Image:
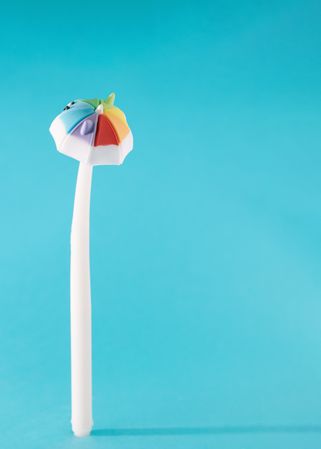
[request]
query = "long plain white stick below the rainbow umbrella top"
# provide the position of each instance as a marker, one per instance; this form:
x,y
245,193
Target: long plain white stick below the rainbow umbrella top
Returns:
x,y
80,307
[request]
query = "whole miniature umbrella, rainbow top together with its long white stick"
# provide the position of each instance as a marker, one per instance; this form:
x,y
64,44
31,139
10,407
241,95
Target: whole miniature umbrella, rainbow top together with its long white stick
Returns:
x,y
94,132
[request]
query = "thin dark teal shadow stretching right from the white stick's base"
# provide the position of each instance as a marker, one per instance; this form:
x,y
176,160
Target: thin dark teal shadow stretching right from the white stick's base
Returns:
x,y
212,430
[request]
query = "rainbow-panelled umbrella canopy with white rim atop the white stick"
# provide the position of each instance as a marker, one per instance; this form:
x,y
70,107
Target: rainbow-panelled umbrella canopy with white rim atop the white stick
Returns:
x,y
93,131
